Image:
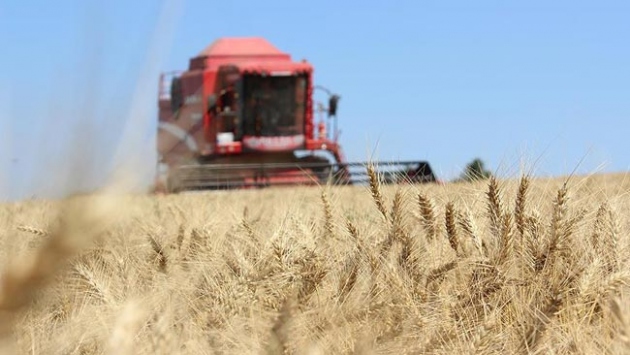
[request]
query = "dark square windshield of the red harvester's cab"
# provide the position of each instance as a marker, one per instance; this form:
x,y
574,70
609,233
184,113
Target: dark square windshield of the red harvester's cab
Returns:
x,y
274,105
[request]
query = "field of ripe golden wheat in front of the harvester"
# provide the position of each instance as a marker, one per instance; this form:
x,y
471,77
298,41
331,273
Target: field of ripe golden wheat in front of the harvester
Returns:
x,y
516,266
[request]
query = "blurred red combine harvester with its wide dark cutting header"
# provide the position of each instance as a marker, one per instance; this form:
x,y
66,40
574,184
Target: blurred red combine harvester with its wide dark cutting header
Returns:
x,y
243,116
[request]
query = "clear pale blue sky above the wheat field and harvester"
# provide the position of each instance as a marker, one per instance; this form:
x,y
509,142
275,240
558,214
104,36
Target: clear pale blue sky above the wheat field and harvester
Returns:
x,y
445,81
